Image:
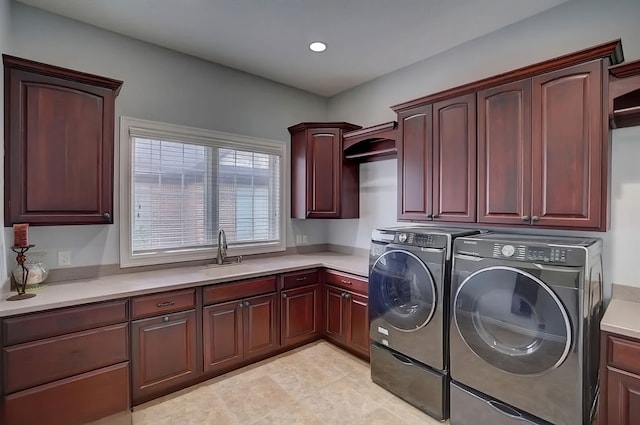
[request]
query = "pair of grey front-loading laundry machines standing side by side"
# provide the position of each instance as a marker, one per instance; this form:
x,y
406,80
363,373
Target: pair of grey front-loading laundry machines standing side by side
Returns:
x,y
500,328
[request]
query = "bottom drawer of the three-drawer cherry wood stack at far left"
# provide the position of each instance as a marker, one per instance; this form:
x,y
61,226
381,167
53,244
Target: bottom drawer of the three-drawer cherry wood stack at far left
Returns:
x,y
72,401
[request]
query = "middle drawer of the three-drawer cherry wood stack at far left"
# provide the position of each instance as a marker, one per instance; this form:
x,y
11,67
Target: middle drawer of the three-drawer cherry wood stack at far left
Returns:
x,y
35,363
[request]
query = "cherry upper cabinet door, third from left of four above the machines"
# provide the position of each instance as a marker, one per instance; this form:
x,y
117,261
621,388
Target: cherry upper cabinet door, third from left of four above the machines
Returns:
x,y
504,154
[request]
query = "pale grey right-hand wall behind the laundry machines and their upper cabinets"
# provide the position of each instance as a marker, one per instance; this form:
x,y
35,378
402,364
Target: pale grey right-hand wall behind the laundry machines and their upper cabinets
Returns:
x,y
572,26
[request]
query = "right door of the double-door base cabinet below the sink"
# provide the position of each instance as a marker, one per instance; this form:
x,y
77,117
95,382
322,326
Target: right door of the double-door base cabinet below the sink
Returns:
x,y
260,325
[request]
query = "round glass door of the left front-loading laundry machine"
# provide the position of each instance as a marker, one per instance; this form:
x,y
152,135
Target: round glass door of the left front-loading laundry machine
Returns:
x,y
403,290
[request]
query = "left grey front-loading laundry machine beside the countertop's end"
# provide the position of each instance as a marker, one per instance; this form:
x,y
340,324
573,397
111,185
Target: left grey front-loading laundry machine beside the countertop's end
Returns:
x,y
409,277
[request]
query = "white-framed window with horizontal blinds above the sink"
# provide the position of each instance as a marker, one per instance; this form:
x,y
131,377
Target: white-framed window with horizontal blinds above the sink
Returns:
x,y
179,185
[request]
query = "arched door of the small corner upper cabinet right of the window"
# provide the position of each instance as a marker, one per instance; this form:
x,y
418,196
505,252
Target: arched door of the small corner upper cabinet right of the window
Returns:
x,y
323,173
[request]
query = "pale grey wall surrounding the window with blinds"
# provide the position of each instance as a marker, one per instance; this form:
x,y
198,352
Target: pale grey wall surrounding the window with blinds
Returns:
x,y
159,85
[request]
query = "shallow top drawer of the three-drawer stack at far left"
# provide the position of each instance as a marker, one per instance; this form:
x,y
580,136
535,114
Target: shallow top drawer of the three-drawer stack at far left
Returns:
x,y
58,322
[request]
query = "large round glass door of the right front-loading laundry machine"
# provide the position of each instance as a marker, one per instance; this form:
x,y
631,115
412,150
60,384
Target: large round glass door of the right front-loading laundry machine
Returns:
x,y
512,320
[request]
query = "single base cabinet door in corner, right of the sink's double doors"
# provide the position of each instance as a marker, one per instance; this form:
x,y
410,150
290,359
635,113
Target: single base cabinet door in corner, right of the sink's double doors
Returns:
x,y
300,314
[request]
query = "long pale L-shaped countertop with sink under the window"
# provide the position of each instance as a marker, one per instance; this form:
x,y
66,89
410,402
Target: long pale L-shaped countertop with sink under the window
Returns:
x,y
63,294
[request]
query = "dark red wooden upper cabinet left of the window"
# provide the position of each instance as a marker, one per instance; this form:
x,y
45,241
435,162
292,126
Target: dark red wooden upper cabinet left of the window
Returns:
x,y
58,145
